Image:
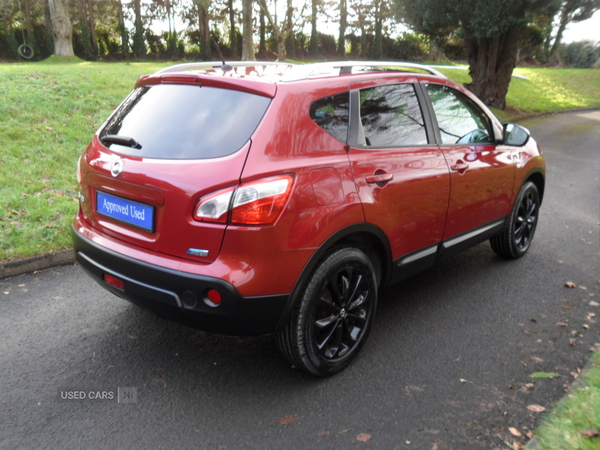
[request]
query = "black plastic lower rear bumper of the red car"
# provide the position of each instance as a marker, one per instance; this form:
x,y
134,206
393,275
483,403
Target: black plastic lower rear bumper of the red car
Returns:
x,y
180,296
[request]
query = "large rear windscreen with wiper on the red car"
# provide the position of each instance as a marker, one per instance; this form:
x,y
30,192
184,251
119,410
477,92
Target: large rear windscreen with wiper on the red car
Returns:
x,y
183,122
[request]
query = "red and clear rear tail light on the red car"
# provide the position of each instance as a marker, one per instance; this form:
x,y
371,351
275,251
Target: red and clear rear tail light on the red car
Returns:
x,y
255,203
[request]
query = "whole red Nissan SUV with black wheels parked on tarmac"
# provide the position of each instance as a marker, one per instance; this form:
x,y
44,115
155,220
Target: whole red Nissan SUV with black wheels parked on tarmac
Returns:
x,y
256,198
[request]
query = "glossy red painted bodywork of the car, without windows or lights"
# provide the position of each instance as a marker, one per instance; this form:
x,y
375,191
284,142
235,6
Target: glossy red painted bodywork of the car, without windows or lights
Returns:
x,y
422,204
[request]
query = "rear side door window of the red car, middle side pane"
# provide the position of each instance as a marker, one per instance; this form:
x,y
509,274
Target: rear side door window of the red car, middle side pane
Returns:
x,y
391,116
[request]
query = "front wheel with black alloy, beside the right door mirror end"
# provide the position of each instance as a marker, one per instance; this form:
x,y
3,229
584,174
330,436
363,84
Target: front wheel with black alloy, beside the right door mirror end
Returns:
x,y
516,239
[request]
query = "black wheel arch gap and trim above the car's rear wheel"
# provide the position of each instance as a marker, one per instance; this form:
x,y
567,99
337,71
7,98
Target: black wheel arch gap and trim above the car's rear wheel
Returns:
x,y
366,237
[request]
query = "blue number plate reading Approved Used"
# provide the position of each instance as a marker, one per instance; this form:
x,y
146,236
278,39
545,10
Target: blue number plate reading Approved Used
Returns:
x,y
126,211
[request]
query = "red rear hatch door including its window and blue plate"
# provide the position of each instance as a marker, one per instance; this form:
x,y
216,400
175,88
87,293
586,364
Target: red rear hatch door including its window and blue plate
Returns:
x,y
166,147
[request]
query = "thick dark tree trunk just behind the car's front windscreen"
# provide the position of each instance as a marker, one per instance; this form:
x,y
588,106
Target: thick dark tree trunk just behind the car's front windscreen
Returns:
x,y
491,63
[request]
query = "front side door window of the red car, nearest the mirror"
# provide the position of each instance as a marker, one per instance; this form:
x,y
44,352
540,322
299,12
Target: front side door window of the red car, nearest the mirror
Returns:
x,y
460,121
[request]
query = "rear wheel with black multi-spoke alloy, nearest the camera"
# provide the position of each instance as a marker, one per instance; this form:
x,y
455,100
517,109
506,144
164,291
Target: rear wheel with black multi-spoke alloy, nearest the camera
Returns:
x,y
334,314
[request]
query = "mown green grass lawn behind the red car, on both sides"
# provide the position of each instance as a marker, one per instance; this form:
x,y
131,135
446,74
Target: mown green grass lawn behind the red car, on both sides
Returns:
x,y
51,109
